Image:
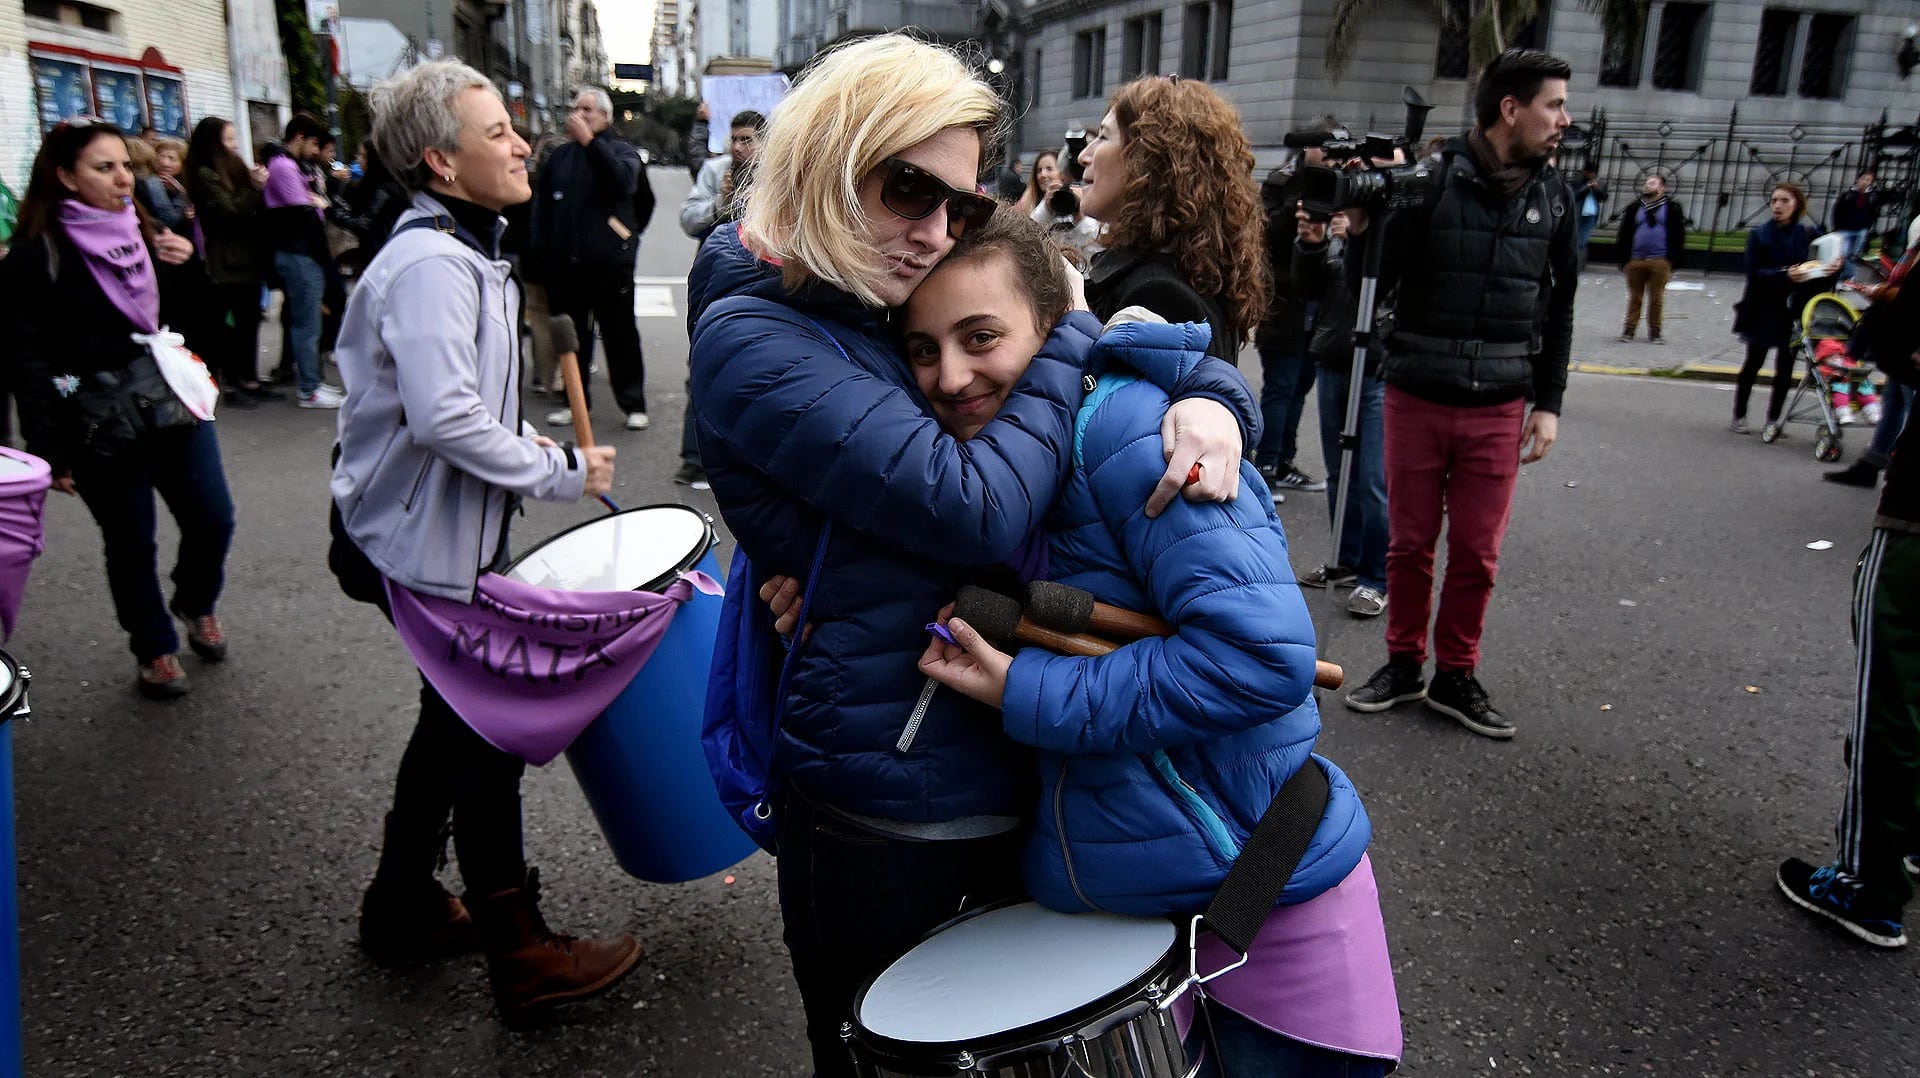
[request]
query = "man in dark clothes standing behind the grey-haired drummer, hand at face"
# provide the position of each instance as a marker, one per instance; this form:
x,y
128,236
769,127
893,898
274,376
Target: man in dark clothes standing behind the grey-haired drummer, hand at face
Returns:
x,y
585,243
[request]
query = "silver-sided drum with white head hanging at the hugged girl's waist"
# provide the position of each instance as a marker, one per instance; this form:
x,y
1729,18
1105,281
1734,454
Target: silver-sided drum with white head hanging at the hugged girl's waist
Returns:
x,y
1026,992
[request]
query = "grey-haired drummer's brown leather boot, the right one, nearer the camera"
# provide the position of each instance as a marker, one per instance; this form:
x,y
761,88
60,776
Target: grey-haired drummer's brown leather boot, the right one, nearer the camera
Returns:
x,y
531,968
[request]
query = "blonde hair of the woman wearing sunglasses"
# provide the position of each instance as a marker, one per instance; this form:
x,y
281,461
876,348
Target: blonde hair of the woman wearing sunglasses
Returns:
x,y
852,110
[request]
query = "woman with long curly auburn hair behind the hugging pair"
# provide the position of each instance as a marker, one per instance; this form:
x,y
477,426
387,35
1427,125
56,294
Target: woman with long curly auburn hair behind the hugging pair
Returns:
x,y
1172,176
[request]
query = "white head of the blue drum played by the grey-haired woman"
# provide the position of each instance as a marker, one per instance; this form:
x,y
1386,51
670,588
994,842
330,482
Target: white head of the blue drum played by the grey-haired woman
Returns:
x,y
617,554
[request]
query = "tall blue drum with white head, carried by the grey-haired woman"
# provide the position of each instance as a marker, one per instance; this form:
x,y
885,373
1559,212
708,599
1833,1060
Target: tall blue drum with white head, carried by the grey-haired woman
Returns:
x,y
640,764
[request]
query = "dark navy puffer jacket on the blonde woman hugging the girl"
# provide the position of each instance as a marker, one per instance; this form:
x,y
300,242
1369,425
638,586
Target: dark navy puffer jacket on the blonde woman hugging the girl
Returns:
x,y
794,435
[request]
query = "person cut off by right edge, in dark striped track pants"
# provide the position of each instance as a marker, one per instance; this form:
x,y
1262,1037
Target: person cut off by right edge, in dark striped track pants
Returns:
x,y
1869,883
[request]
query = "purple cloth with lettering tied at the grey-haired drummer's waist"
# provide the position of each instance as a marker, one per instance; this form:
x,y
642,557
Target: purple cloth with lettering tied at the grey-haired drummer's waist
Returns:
x,y
533,668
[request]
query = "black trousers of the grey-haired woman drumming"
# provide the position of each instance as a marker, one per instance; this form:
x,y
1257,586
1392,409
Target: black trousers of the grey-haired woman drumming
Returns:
x,y
448,770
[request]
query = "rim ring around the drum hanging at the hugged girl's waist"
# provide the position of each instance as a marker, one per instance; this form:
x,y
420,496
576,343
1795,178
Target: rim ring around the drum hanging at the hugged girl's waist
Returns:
x,y
915,1058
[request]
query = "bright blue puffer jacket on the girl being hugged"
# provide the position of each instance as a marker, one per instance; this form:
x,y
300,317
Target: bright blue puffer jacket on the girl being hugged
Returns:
x,y
1159,760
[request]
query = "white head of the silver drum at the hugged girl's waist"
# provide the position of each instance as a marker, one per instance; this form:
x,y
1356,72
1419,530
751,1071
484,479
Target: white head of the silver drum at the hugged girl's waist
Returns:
x,y
1009,969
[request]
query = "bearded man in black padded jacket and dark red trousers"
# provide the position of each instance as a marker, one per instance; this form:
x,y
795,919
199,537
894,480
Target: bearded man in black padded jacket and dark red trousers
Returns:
x,y
1499,226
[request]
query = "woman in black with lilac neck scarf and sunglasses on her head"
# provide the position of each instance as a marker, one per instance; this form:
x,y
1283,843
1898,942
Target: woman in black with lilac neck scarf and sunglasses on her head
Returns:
x,y
85,291
